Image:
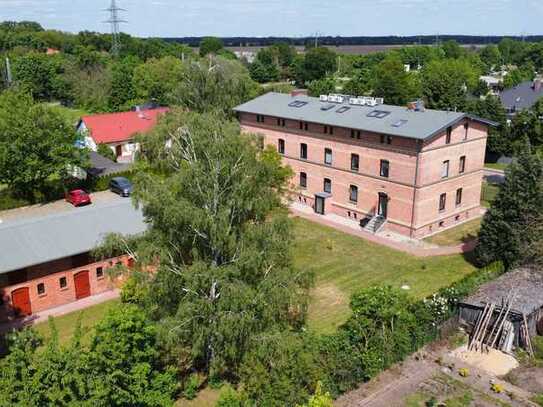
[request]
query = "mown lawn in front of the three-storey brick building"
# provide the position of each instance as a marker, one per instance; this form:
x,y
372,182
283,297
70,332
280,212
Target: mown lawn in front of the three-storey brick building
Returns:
x,y
344,264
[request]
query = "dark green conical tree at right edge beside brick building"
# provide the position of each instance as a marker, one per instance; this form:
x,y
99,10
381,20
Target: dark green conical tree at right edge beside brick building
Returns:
x,y
504,231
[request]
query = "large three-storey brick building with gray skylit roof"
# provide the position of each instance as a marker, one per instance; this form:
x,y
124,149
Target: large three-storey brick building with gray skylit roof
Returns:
x,y
406,169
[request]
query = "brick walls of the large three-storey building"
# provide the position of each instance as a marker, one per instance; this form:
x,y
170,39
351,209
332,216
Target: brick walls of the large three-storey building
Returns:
x,y
415,181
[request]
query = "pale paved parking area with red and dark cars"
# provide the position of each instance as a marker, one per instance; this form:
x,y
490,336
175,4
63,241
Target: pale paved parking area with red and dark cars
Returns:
x,y
37,210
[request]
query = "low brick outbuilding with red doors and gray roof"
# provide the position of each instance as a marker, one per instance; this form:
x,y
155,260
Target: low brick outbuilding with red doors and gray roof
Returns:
x,y
45,261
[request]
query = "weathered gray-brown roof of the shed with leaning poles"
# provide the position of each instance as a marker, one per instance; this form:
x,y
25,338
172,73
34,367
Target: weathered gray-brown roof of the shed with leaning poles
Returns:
x,y
525,283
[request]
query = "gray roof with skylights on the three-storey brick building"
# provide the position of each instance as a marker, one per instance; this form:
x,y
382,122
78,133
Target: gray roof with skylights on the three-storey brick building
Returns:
x,y
419,124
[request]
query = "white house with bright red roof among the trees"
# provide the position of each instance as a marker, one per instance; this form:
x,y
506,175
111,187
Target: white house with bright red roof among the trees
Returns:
x,y
117,130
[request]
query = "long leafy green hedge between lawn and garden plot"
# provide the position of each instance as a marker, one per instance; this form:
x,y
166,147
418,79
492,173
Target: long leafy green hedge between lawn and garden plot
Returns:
x,y
386,327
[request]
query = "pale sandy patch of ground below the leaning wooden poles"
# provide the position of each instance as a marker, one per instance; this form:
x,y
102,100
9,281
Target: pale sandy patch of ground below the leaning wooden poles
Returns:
x,y
493,361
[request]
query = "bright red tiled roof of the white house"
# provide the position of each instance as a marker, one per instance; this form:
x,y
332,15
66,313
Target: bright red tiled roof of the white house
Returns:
x,y
114,127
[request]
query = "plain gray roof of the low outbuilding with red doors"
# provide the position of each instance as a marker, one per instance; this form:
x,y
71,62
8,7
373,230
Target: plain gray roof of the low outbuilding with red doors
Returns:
x,y
34,241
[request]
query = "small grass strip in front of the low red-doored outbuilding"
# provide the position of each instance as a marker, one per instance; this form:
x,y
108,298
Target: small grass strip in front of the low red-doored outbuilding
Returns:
x,y
66,324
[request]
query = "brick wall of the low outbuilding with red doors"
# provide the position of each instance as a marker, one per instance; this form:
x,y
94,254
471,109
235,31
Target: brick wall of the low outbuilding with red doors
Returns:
x,y
50,275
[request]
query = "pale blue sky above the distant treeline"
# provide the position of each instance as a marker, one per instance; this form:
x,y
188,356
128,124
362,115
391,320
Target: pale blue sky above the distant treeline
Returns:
x,y
288,17
